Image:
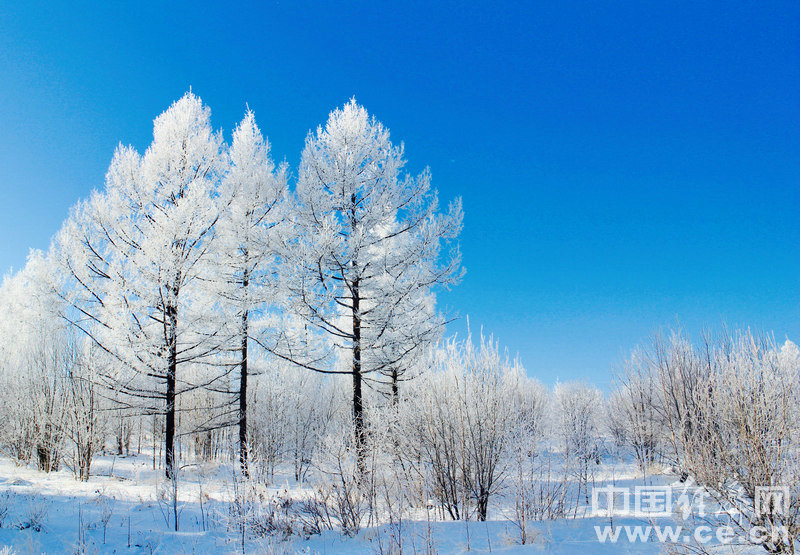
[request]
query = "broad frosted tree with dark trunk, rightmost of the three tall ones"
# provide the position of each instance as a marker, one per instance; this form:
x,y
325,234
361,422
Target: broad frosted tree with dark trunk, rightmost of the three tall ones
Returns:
x,y
368,253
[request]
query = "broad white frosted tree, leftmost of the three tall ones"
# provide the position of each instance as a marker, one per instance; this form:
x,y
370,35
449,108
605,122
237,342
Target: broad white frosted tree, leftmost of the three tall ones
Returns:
x,y
135,255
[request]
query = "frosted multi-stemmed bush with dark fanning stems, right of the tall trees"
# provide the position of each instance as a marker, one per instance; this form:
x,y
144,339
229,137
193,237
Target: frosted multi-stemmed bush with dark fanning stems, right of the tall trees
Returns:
x,y
460,420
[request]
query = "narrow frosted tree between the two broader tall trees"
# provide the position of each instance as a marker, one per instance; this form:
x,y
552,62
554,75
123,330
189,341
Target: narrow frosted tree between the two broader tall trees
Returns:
x,y
251,196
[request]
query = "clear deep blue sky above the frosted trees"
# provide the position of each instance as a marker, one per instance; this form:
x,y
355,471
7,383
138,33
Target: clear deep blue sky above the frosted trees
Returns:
x,y
623,166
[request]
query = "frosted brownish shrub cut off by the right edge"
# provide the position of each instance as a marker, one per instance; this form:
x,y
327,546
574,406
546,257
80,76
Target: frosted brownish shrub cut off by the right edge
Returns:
x,y
747,438
